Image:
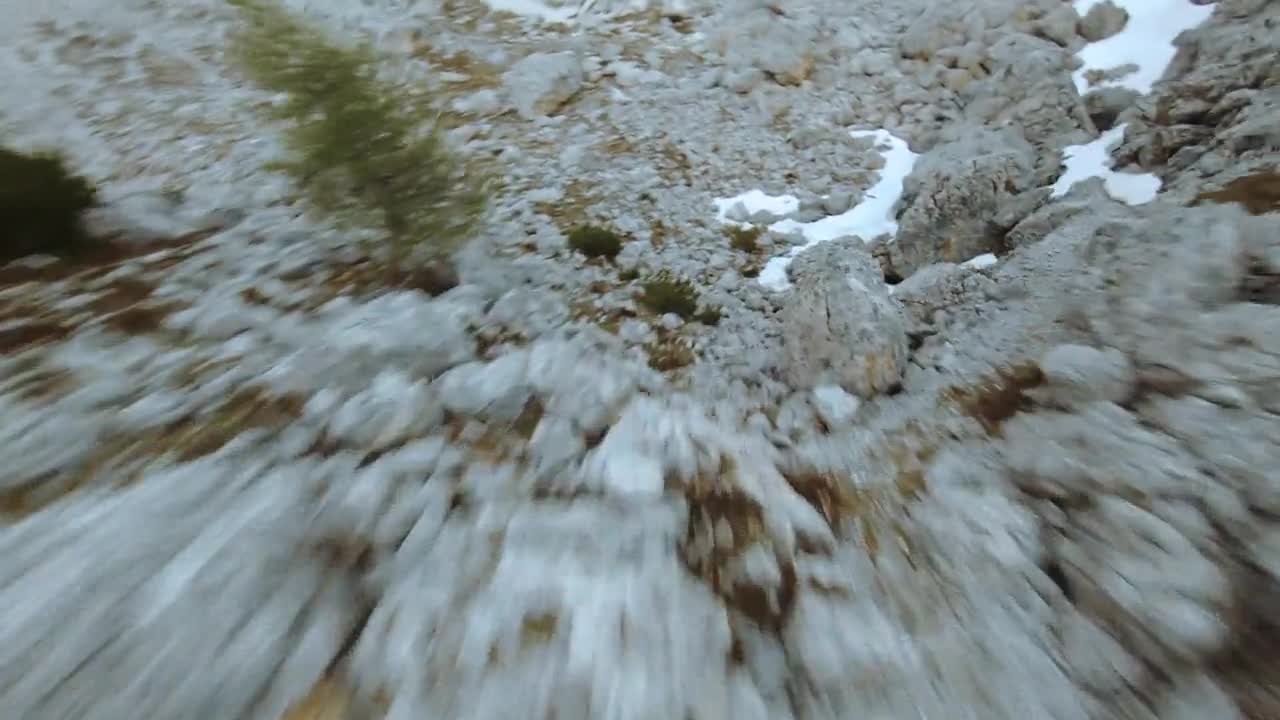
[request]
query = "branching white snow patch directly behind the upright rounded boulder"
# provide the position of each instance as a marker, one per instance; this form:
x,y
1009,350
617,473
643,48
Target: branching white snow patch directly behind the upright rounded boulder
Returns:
x,y
870,220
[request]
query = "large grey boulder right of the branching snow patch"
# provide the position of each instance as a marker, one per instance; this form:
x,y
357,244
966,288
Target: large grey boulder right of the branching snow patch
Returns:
x,y
956,195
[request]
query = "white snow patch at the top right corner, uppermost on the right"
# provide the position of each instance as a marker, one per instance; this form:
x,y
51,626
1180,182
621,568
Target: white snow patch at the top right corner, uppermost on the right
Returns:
x,y
1146,42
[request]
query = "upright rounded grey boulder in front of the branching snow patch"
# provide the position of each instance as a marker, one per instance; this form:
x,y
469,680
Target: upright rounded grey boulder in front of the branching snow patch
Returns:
x,y
840,325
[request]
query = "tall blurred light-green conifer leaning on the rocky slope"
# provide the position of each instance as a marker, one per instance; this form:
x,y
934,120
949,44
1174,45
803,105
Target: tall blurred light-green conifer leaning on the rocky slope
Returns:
x,y
359,151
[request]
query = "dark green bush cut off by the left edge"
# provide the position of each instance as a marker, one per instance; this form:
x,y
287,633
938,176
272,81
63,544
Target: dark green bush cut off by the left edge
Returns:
x,y
42,204
